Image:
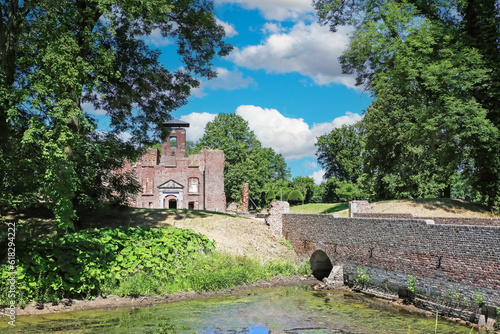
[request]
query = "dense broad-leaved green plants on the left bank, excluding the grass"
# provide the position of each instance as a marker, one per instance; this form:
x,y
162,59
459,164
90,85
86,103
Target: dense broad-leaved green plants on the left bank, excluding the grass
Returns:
x,y
82,264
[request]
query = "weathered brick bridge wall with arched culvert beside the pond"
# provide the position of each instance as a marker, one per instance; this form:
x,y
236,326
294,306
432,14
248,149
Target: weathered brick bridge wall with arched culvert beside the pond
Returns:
x,y
443,258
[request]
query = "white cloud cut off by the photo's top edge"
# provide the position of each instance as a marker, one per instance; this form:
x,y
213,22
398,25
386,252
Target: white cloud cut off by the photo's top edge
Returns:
x,y
276,9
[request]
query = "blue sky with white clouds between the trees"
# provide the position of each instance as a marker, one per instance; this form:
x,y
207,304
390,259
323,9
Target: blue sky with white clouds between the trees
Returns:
x,y
283,77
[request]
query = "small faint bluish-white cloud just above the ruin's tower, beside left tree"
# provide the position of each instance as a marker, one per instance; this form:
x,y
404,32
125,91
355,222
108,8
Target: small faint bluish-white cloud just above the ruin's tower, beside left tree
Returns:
x,y
226,79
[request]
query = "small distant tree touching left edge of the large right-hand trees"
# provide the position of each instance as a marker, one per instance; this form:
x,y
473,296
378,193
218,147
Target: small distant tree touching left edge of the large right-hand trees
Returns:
x,y
340,153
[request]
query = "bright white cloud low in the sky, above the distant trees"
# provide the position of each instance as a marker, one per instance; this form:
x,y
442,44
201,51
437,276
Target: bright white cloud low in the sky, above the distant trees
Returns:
x,y
292,137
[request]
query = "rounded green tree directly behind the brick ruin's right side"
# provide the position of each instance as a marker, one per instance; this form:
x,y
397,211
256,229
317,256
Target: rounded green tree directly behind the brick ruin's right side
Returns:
x,y
246,159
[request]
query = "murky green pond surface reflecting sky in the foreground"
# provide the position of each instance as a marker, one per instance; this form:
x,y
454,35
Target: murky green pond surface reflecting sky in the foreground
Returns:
x,y
266,310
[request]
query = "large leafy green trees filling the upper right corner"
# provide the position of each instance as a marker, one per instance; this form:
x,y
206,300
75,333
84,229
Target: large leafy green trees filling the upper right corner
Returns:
x,y
433,69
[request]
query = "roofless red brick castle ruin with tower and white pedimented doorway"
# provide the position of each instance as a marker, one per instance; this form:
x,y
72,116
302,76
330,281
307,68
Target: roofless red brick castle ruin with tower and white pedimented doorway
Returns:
x,y
170,180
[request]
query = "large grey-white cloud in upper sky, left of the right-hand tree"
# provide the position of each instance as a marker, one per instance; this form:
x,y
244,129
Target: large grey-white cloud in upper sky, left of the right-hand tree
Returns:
x,y
309,49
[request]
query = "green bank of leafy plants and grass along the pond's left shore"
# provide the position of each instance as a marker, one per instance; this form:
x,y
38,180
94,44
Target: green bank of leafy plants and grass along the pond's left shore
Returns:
x,y
129,261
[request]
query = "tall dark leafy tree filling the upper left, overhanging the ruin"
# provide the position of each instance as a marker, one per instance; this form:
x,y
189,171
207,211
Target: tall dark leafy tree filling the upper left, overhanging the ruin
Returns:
x,y
56,55
